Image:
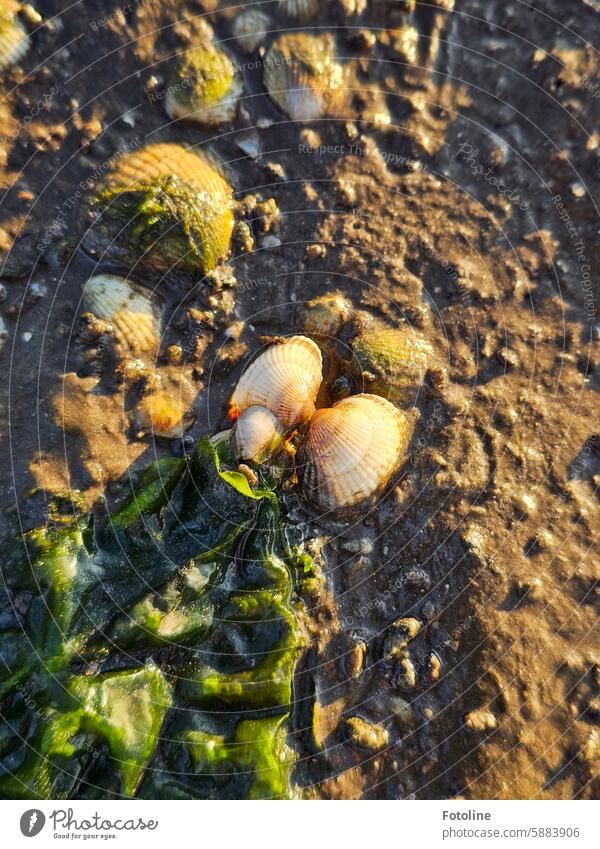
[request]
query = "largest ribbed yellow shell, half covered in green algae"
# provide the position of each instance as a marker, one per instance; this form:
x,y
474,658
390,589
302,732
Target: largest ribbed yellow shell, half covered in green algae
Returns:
x,y
161,208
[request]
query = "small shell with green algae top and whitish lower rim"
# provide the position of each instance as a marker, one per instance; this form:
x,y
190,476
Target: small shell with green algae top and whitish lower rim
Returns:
x,y
204,87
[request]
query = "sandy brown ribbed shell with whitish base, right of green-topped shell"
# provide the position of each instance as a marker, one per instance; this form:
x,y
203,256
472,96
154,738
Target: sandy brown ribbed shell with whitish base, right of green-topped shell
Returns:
x,y
303,76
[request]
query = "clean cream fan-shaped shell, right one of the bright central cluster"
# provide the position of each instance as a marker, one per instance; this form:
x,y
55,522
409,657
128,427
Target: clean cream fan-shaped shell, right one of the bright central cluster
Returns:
x,y
351,450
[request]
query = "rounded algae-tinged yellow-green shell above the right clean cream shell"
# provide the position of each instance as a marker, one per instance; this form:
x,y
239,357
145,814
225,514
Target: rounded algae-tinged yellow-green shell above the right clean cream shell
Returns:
x,y
392,361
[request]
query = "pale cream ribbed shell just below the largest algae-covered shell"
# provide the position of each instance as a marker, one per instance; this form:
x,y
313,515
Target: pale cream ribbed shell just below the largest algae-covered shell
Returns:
x,y
129,309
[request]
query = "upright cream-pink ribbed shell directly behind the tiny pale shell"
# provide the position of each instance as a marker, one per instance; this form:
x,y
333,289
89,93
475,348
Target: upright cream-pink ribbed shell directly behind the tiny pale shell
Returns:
x,y
285,378
